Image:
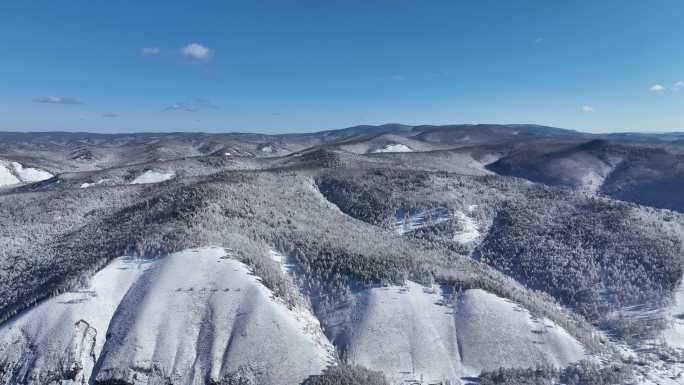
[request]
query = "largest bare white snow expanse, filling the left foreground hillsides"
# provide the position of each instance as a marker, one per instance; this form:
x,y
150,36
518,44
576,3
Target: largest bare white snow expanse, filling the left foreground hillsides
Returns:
x,y
189,317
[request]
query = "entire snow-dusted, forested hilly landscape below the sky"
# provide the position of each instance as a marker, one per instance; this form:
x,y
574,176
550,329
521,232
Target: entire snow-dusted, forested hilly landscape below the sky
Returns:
x,y
395,254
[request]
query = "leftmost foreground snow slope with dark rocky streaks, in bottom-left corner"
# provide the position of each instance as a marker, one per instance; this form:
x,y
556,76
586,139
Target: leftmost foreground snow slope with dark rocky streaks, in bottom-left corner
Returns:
x,y
66,332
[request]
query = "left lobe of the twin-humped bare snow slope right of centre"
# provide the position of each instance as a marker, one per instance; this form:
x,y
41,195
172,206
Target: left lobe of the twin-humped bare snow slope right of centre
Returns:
x,y
404,332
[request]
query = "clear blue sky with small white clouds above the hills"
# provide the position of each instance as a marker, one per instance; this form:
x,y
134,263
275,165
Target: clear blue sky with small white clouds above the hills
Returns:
x,y
294,66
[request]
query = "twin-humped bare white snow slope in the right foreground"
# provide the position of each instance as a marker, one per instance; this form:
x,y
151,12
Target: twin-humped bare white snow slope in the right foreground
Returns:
x,y
412,333
